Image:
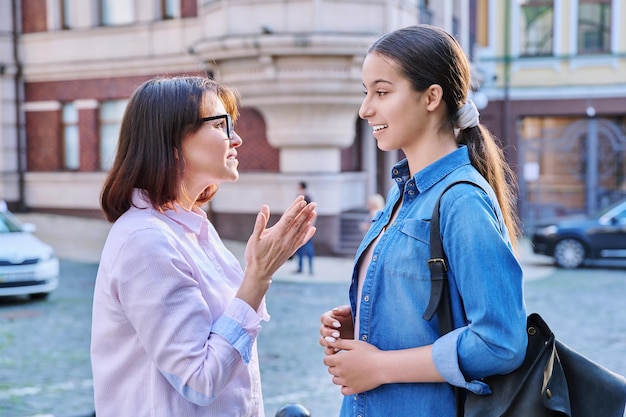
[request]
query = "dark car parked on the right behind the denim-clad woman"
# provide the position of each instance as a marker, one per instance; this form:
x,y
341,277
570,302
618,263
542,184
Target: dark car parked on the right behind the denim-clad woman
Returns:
x,y
572,240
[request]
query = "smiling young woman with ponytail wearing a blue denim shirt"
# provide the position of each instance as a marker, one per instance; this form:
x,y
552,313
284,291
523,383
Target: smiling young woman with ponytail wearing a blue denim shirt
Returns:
x,y
386,358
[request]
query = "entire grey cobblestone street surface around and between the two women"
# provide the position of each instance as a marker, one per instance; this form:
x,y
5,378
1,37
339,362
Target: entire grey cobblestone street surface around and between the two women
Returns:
x,y
44,346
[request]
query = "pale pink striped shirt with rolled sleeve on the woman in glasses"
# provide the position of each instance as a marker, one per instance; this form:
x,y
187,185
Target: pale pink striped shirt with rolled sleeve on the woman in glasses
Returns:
x,y
169,338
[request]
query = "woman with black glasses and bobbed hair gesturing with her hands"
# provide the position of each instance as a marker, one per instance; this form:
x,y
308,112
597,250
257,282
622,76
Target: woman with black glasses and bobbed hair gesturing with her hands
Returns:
x,y
175,317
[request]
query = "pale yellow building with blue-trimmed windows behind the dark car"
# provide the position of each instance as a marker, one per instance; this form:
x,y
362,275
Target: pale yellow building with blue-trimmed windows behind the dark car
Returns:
x,y
554,73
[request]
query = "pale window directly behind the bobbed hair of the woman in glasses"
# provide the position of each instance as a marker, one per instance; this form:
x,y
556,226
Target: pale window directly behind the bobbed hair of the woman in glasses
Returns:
x,y
111,113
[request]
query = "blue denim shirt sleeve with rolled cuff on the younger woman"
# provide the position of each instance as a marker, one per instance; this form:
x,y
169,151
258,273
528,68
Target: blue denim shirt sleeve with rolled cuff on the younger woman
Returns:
x,y
487,294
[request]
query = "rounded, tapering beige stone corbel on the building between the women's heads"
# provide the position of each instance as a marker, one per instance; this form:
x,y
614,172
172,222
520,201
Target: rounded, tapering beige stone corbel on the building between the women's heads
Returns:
x,y
299,64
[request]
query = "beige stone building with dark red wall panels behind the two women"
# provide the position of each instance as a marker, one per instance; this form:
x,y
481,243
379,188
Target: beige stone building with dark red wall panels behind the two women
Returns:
x,y
68,67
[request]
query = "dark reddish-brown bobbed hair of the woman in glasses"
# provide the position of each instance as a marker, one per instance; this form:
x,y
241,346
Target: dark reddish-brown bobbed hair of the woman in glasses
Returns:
x,y
160,113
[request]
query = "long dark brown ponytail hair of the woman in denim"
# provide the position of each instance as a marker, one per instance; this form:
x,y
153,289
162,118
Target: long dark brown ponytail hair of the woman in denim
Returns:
x,y
429,55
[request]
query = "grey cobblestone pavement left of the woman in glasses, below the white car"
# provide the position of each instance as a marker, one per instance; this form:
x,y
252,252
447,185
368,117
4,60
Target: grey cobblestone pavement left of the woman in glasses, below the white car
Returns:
x,y
44,349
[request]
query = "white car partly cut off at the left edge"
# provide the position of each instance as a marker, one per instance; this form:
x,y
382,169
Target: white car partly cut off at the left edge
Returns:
x,y
27,265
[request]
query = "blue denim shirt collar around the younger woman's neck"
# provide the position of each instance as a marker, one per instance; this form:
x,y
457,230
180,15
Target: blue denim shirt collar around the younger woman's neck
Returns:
x,y
430,175
